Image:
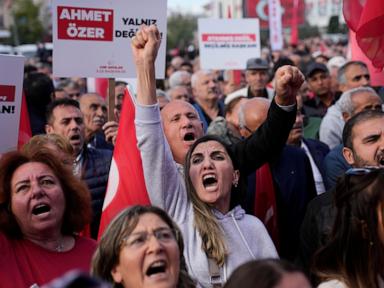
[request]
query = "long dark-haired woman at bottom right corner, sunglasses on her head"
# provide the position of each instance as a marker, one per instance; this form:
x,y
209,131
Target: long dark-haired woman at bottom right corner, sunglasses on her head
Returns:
x,y
354,255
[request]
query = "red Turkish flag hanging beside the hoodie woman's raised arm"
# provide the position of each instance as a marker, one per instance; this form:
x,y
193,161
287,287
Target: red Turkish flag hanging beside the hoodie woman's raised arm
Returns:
x,y
126,186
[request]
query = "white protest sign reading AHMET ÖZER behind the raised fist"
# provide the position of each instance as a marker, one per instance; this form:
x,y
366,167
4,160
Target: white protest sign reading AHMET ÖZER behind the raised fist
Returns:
x,y
93,38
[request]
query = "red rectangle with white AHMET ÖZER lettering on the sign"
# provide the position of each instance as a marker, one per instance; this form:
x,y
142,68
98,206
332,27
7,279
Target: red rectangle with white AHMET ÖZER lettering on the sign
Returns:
x,y
76,23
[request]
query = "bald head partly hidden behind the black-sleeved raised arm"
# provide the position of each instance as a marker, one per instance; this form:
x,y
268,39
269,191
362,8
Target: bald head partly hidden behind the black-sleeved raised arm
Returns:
x,y
252,114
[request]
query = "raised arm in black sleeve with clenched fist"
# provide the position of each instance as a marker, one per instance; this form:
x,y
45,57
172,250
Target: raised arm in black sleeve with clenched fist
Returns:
x,y
268,140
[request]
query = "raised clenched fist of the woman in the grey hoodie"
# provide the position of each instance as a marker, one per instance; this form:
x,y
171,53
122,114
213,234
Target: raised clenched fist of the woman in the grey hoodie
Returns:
x,y
145,45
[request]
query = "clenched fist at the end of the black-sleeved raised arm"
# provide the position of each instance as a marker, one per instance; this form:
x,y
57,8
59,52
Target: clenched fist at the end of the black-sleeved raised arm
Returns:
x,y
288,80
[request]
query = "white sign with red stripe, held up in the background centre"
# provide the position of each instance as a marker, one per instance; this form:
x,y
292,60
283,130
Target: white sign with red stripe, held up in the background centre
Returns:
x,y
227,44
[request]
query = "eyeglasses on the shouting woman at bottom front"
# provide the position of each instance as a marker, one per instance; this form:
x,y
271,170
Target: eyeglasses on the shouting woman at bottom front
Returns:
x,y
137,240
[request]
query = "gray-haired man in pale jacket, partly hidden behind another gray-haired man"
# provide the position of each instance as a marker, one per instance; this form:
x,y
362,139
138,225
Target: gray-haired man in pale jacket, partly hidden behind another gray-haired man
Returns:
x,y
351,75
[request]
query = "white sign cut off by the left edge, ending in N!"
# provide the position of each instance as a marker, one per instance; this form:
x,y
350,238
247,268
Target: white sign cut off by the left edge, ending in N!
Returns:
x,y
11,89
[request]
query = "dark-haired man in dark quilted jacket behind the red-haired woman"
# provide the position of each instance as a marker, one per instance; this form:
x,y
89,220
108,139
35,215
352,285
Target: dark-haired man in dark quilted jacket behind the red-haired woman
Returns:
x,y
92,165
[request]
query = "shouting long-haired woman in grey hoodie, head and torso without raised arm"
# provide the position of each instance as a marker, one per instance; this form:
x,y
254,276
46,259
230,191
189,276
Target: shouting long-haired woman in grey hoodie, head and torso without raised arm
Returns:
x,y
219,236
